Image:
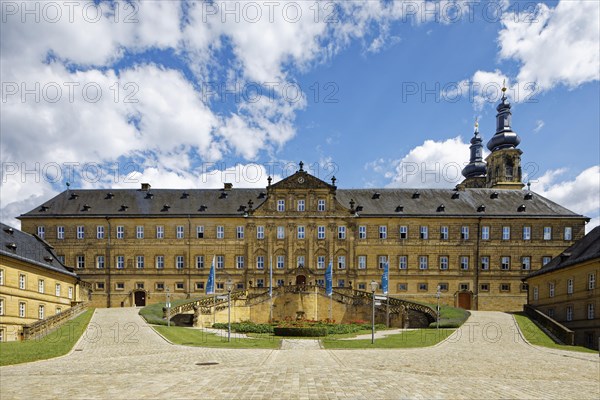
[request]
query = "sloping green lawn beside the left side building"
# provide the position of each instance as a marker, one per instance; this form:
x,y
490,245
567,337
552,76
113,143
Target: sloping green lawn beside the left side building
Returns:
x,y
55,344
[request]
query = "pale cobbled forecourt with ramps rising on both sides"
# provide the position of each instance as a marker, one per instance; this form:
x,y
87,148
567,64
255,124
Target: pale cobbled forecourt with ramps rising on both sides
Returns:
x,y
121,357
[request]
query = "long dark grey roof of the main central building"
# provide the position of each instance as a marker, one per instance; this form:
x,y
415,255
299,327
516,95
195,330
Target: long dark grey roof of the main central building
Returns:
x,y
235,202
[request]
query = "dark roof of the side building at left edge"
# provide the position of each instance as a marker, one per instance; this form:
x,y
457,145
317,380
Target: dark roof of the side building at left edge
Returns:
x,y
22,246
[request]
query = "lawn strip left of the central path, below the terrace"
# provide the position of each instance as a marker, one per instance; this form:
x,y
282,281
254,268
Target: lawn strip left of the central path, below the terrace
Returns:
x,y
197,337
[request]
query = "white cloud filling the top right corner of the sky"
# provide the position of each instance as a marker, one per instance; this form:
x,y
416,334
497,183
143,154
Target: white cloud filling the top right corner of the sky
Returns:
x,y
555,45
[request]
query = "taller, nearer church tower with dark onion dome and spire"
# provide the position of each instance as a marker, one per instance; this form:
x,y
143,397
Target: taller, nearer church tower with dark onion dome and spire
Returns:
x,y
504,163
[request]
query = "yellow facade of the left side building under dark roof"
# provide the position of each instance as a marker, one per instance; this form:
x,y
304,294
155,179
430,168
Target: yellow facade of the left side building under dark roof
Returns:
x,y
29,293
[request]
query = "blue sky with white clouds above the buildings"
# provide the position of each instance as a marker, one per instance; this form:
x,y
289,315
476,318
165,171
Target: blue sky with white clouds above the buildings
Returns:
x,y
379,93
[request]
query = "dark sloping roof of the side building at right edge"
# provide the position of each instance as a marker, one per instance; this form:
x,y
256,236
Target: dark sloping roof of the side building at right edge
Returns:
x,y
585,249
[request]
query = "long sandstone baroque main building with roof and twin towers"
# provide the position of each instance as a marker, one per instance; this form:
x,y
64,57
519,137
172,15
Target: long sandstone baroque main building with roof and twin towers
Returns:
x,y
474,242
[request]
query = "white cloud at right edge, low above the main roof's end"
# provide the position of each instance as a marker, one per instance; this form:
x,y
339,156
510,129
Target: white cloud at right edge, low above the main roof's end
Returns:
x,y
581,194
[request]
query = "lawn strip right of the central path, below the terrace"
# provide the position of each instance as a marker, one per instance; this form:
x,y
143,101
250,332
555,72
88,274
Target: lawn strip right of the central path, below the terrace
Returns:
x,y
405,340
